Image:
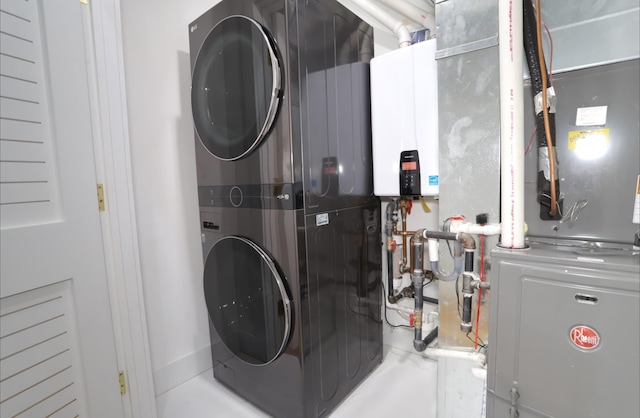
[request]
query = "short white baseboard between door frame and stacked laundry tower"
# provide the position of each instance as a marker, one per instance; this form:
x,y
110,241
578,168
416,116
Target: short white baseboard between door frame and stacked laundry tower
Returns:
x,y
181,370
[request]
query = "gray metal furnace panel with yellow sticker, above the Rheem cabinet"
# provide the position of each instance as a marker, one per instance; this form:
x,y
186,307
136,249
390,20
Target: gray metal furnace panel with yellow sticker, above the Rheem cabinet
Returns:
x,y
602,177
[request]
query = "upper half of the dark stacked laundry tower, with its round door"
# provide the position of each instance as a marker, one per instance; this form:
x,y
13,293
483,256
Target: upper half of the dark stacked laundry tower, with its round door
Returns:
x,y
280,96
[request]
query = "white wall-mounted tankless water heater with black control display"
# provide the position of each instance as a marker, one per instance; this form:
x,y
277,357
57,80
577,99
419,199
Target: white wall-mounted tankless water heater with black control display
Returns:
x,y
404,113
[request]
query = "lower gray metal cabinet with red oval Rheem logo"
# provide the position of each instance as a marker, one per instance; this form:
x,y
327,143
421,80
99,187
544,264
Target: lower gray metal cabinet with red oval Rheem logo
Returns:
x,y
564,336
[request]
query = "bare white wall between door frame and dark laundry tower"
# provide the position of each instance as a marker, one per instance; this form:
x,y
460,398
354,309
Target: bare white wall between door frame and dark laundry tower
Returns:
x,y
157,71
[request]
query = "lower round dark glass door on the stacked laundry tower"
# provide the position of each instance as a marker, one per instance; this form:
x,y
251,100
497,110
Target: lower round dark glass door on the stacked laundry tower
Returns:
x,y
247,299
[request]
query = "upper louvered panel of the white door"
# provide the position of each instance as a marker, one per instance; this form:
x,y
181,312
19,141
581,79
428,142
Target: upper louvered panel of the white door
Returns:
x,y
28,192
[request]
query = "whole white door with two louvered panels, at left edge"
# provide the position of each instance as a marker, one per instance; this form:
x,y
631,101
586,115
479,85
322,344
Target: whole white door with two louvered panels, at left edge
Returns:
x,y
57,350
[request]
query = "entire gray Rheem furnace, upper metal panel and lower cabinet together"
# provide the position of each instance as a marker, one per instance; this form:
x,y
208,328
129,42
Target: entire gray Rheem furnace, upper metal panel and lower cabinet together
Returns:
x,y
564,337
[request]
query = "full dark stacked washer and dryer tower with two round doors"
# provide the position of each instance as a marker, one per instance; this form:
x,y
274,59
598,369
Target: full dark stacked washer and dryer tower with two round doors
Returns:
x,y
290,226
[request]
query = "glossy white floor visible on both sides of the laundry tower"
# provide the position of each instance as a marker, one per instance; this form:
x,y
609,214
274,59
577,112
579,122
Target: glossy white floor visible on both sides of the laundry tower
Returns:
x,y
389,391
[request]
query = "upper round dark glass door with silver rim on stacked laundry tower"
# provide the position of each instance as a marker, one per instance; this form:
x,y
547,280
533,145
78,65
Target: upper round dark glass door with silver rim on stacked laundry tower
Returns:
x,y
236,87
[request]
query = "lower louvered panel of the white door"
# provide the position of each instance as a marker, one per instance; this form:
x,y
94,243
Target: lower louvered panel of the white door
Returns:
x,y
36,365
